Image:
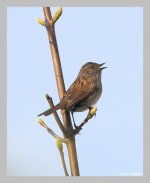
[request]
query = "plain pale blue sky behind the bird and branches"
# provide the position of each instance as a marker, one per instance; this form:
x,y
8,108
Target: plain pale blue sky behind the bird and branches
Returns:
x,y
111,144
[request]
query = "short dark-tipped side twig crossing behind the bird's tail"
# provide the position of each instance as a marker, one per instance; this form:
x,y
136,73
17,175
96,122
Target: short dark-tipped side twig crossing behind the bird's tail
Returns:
x,y
50,101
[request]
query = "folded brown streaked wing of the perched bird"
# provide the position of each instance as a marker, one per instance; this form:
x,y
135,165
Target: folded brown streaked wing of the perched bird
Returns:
x,y
81,89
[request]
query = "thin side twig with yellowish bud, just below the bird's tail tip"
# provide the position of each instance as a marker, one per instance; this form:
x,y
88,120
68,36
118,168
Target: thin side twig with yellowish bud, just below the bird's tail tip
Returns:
x,y
41,122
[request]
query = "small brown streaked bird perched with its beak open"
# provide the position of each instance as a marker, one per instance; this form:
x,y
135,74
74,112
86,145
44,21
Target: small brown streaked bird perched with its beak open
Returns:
x,y
84,92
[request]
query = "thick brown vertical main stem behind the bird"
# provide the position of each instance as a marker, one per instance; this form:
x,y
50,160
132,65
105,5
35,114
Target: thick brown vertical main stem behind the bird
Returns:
x,y
61,89
